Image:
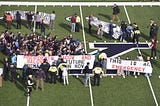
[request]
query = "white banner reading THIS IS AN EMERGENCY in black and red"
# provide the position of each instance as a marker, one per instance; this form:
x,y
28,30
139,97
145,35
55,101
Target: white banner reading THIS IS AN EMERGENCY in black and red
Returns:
x,y
129,65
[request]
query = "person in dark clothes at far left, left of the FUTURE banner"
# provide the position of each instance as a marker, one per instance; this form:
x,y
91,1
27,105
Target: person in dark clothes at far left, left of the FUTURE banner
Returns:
x,y
6,68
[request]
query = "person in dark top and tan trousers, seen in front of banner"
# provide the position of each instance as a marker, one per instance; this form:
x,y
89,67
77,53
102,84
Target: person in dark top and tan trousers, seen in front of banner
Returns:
x,y
40,76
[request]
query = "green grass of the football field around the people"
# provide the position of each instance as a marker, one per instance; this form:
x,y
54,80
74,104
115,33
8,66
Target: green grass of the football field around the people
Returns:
x,y
112,92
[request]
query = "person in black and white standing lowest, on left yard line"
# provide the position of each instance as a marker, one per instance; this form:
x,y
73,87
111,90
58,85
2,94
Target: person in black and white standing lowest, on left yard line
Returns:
x,y
29,85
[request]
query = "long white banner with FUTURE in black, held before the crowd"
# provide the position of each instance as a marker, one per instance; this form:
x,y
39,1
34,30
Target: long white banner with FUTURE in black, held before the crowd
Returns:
x,y
73,61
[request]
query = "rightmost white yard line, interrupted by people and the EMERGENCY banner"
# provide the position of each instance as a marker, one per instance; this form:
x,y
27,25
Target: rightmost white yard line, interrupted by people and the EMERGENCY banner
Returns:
x,y
149,82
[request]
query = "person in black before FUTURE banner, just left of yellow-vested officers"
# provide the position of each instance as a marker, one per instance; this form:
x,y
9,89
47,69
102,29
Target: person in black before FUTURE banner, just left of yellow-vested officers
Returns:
x,y
45,67
